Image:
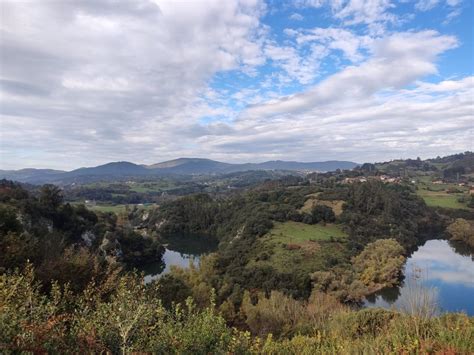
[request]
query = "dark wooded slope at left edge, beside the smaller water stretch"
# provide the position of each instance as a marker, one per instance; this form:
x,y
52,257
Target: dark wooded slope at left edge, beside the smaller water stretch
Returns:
x,y
65,242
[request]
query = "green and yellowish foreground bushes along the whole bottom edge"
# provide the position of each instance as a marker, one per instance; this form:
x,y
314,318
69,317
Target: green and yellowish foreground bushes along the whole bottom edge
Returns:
x,y
126,317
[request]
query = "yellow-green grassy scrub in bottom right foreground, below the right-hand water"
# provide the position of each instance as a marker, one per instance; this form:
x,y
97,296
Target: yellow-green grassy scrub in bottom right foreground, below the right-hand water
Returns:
x,y
382,332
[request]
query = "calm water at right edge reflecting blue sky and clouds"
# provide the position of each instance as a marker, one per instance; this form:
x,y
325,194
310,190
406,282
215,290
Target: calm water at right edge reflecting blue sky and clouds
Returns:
x,y
446,268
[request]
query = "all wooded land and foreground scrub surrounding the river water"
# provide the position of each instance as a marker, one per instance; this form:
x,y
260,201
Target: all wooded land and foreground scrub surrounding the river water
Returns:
x,y
295,260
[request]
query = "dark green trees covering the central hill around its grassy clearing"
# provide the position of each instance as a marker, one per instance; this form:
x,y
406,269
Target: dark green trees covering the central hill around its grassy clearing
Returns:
x,y
372,211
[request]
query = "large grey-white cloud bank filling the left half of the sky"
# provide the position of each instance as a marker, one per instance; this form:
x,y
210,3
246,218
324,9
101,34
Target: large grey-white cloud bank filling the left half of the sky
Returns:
x,y
126,70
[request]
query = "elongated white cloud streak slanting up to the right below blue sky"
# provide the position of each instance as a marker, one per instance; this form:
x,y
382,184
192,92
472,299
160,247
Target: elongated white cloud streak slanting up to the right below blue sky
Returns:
x,y
411,53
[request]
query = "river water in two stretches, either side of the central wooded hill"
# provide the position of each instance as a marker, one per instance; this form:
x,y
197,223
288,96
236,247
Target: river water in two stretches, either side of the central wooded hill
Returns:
x,y
444,268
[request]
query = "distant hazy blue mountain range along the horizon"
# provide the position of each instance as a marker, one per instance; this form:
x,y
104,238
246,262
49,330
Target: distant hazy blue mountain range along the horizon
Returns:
x,y
181,166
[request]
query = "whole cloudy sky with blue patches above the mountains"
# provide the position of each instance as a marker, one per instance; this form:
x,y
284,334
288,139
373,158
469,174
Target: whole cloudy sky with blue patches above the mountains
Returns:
x,y
88,82
